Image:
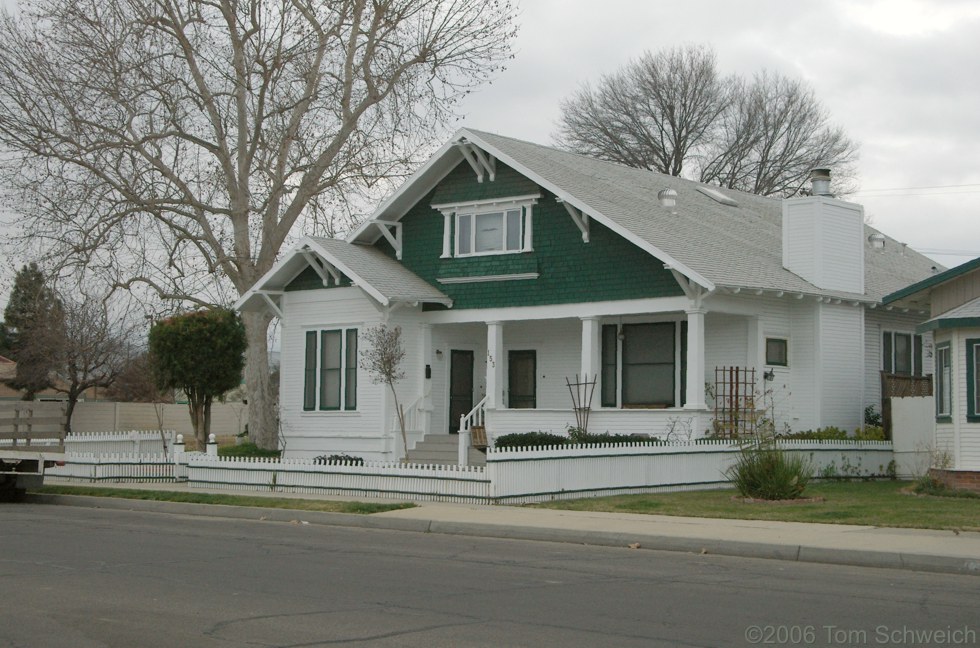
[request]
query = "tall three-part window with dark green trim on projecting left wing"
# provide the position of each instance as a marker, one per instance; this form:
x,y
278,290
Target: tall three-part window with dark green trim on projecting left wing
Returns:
x,y
330,371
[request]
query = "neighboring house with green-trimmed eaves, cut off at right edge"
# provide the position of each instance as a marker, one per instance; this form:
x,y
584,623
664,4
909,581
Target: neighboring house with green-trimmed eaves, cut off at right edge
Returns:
x,y
952,299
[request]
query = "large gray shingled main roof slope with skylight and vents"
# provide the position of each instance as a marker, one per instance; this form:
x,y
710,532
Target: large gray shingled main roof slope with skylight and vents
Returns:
x,y
730,246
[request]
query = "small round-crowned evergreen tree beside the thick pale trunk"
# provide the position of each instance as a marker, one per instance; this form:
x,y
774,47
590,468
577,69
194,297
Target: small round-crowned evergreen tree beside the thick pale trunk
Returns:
x,y
201,353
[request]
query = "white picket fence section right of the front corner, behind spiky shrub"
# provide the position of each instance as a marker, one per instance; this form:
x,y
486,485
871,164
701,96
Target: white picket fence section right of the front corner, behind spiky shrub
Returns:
x,y
520,475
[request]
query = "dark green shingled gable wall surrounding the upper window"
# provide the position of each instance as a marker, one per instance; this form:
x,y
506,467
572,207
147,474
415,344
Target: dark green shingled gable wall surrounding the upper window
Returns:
x,y
570,270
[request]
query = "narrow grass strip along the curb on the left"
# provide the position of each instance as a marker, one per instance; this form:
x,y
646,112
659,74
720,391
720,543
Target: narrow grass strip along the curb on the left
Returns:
x,y
329,506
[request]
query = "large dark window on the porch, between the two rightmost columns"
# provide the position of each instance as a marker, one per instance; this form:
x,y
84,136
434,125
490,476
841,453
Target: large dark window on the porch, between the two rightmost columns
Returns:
x,y
639,365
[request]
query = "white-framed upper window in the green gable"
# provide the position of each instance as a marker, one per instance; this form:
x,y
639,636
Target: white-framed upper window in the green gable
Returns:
x,y
487,227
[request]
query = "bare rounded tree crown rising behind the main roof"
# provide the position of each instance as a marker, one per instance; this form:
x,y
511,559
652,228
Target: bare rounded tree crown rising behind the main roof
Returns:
x,y
673,113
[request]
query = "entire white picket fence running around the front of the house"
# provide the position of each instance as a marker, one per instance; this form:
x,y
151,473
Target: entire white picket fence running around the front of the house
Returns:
x,y
512,475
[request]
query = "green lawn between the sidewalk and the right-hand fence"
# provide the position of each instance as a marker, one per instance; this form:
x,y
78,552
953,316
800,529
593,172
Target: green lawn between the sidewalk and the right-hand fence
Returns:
x,y
877,503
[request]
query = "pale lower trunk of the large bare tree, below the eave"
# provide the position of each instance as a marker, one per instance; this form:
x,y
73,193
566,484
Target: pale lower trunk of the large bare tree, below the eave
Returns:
x,y
263,410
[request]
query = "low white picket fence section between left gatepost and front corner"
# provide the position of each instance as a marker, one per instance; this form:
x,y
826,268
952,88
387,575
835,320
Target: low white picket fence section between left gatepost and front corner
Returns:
x,y
372,479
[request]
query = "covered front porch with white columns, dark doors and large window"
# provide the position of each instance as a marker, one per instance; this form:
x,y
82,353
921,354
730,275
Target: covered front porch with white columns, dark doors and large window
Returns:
x,y
646,373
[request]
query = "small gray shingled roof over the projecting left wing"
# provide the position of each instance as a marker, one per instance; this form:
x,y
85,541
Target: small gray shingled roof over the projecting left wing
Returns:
x,y
386,275
